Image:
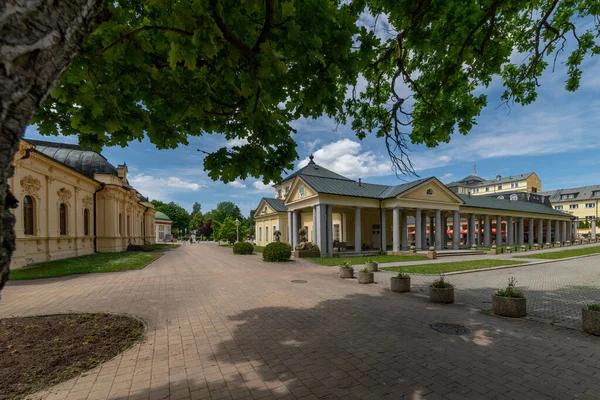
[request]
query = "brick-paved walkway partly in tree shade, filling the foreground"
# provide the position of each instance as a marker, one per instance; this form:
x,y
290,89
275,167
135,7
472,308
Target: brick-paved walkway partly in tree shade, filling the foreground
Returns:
x,y
231,327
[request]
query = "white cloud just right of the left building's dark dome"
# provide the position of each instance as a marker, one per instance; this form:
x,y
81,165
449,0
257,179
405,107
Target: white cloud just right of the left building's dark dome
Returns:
x,y
161,188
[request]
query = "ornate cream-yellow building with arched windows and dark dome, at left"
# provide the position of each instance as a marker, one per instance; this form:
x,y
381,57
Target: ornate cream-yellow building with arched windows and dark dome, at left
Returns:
x,y
74,202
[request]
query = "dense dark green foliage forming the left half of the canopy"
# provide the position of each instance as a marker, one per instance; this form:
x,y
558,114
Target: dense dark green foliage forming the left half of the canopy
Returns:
x,y
167,70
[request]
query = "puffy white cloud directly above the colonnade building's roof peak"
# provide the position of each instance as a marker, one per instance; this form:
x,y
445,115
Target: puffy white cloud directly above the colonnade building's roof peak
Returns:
x,y
347,158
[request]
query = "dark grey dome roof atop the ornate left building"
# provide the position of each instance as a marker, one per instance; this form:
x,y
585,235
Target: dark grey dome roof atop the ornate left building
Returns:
x,y
86,162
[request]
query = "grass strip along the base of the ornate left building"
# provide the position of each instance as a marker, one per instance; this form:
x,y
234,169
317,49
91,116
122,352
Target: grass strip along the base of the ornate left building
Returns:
x,y
98,262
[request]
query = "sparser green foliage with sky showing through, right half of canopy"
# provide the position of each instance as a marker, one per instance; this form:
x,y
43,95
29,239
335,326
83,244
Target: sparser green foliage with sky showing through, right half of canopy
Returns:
x,y
430,67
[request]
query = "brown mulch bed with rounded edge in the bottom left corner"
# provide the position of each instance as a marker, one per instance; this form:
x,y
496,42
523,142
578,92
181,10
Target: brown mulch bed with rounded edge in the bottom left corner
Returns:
x,y
39,352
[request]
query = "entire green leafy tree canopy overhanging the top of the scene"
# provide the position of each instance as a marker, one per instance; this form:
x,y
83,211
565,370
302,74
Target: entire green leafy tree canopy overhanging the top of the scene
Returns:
x,y
172,69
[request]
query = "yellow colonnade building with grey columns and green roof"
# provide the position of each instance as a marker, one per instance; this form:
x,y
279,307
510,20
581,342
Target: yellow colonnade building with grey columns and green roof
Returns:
x,y
341,214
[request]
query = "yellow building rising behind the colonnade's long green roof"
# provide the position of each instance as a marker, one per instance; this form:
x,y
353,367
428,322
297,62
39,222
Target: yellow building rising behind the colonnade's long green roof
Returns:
x,y
475,185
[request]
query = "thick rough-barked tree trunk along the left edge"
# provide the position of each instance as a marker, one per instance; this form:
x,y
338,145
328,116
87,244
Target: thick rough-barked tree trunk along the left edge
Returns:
x,y
38,40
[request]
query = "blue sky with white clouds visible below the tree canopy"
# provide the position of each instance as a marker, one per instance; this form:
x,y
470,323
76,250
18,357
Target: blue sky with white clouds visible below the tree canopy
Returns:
x,y
557,137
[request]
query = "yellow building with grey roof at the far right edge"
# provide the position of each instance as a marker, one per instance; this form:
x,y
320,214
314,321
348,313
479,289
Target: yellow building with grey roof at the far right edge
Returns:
x,y
580,202
